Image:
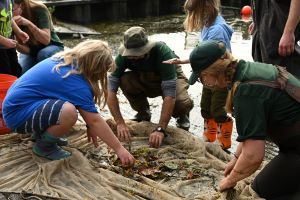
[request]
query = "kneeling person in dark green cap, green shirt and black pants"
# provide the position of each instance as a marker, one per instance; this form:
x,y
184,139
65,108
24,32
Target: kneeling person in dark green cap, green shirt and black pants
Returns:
x,y
261,111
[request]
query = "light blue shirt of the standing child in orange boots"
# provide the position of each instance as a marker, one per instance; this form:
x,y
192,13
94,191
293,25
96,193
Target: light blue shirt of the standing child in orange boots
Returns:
x,y
219,31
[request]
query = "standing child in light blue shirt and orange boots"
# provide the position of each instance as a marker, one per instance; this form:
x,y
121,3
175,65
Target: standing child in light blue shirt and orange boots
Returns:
x,y
203,16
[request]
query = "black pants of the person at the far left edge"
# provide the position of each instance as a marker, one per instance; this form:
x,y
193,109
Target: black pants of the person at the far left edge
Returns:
x,y
9,62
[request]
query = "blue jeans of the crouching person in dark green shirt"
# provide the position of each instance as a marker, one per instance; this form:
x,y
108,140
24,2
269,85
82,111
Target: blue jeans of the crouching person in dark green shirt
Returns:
x,y
27,61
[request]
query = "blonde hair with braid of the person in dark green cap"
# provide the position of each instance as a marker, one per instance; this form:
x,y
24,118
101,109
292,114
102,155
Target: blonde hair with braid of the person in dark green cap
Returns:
x,y
225,66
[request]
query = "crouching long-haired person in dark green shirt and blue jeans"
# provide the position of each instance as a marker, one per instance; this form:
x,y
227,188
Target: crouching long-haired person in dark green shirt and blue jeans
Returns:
x,y
34,18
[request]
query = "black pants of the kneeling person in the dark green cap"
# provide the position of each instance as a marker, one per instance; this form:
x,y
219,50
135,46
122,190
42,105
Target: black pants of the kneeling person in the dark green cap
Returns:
x,y
280,178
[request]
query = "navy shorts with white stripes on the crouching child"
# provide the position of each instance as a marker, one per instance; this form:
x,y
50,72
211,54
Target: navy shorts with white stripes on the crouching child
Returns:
x,y
45,116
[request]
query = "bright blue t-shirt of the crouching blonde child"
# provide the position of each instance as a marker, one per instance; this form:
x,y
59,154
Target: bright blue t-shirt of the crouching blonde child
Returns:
x,y
40,84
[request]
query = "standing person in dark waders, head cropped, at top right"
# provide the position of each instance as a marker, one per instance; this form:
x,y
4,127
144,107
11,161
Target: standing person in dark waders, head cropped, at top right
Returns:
x,y
276,32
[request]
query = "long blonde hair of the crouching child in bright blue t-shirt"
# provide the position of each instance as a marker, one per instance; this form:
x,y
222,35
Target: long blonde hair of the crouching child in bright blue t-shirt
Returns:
x,y
92,59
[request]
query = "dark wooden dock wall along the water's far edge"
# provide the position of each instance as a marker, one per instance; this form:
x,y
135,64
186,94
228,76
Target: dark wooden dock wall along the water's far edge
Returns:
x,y
87,11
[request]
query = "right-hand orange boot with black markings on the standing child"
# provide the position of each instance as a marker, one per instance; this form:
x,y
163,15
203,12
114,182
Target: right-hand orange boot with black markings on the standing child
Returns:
x,y
224,133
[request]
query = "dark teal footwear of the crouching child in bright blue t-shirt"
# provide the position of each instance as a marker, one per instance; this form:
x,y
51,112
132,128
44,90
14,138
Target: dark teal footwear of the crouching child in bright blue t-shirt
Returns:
x,y
47,147
